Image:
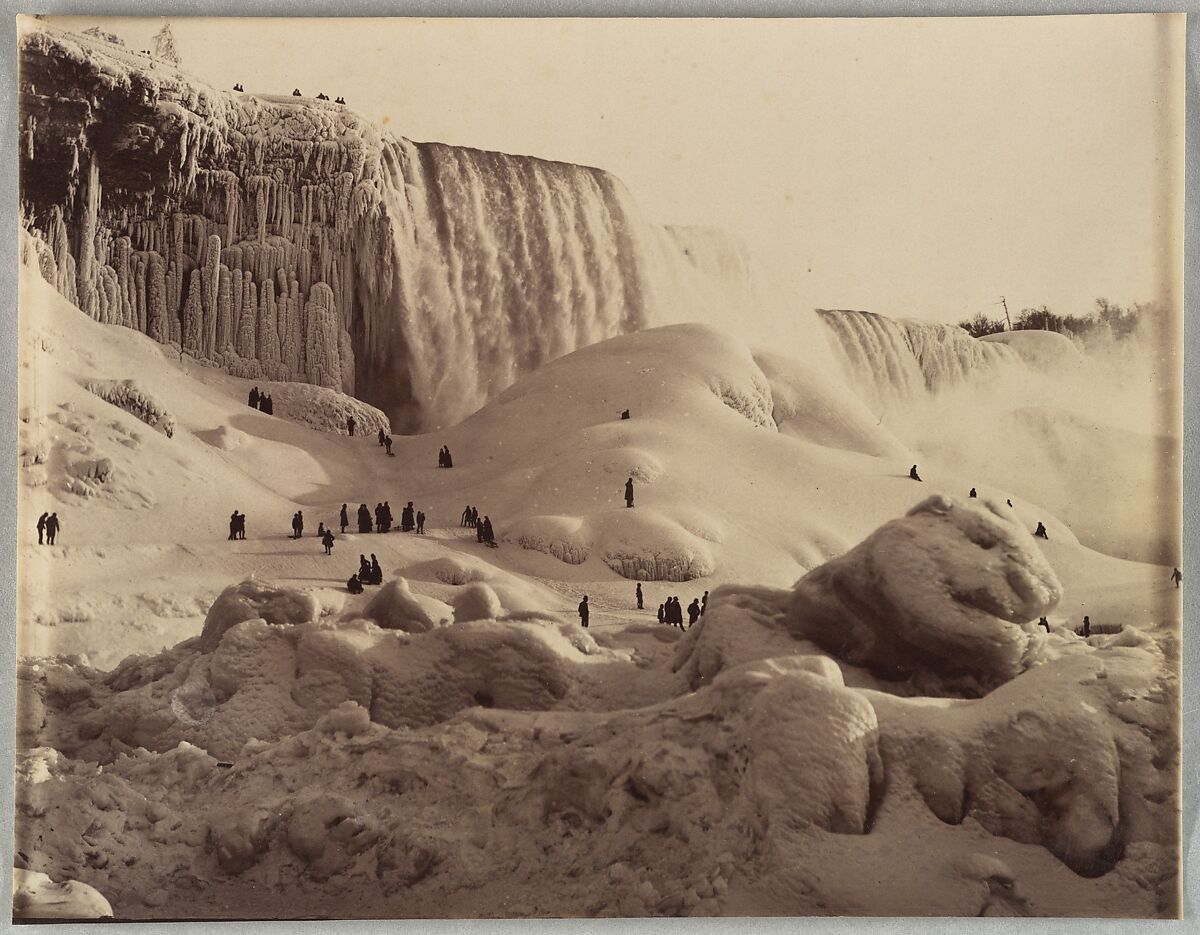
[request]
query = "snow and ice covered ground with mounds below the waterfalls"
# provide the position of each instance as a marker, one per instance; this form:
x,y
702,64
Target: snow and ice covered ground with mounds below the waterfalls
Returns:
x,y
867,721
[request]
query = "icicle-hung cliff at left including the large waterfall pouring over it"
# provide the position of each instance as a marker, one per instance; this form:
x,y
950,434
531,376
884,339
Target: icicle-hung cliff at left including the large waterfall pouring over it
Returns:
x,y
287,238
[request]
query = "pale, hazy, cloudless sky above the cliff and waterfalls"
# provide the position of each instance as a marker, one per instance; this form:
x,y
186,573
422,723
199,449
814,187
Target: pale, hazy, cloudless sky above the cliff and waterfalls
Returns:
x,y
915,167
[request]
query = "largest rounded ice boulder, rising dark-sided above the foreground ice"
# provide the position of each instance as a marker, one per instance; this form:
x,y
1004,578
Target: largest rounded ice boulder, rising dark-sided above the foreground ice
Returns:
x,y
943,591
